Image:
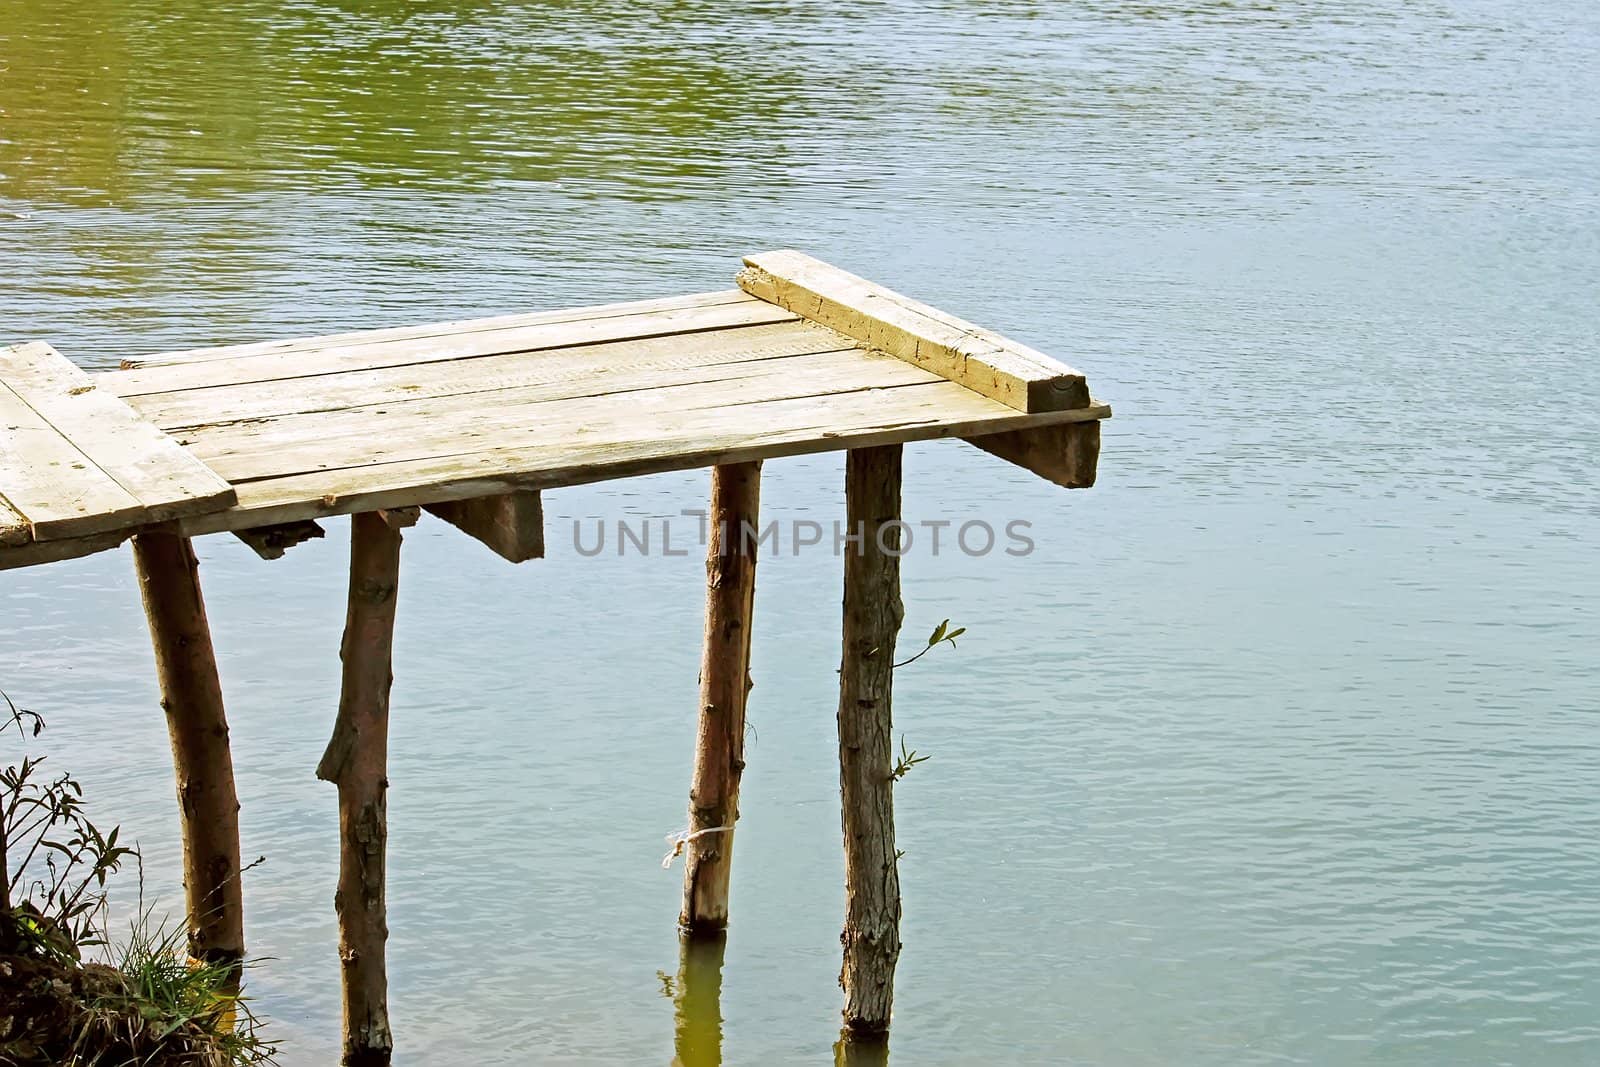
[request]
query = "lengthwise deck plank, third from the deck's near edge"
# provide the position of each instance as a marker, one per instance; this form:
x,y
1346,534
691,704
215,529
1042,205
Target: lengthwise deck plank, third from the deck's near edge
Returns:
x,y
580,370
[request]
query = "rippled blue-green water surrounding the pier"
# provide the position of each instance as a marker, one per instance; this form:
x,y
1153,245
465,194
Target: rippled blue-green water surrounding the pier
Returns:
x,y
1281,749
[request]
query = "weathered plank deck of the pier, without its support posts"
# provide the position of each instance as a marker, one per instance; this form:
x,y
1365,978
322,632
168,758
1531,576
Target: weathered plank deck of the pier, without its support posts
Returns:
x,y
279,433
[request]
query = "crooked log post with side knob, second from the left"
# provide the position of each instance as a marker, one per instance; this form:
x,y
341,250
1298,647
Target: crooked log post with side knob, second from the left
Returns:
x,y
358,764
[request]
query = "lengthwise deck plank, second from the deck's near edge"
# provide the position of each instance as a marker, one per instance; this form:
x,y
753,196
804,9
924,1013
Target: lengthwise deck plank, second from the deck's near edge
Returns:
x,y
454,425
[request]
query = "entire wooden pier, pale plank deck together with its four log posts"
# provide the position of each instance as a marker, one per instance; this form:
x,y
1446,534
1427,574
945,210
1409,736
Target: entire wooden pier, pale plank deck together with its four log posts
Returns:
x,y
470,422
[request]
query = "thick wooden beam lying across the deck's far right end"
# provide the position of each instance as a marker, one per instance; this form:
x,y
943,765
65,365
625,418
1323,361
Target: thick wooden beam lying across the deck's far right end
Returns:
x,y
945,345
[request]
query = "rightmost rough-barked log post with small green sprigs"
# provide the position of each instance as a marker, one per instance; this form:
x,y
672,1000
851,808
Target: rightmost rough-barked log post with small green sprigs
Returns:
x,y
873,620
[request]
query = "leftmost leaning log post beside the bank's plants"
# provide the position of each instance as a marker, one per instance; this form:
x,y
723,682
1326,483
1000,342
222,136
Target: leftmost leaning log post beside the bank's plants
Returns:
x,y
198,727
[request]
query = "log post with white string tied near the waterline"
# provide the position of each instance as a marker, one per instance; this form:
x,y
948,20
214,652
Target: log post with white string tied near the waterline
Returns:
x,y
726,684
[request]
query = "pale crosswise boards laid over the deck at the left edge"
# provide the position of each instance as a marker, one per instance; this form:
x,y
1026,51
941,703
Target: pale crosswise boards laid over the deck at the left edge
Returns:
x,y
81,462
